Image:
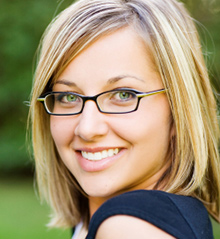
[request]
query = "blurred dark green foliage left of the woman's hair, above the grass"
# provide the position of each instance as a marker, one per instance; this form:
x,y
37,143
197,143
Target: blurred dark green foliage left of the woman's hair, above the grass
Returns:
x,y
21,25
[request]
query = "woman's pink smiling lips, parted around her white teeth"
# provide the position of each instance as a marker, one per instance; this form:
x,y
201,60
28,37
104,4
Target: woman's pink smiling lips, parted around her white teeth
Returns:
x,y
95,166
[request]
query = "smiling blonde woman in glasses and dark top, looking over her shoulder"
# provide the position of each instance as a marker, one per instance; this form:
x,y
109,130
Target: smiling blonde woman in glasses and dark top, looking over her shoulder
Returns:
x,y
129,133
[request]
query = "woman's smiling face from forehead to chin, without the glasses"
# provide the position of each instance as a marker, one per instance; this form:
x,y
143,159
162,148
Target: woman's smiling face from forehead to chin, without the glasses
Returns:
x,y
129,150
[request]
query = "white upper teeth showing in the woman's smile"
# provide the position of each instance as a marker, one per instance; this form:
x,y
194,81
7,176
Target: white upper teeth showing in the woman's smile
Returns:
x,y
99,155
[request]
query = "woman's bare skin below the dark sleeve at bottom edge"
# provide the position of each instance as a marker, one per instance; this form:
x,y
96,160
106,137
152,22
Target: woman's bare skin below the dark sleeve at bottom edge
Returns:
x,y
121,226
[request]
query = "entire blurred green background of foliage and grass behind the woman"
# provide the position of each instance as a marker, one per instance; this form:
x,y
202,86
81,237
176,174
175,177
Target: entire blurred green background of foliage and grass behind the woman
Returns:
x,y
21,26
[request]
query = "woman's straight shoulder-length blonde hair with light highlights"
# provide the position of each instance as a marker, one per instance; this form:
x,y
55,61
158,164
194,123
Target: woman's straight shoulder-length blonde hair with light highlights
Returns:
x,y
171,36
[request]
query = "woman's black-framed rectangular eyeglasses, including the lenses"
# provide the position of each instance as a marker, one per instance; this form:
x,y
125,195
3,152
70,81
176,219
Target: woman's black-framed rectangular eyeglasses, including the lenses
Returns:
x,y
119,101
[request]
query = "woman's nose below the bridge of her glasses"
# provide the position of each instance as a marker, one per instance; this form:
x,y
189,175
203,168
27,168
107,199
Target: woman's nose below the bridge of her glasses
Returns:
x,y
92,124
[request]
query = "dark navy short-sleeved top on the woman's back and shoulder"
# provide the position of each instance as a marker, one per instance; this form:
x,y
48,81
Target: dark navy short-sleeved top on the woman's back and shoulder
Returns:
x,y
180,216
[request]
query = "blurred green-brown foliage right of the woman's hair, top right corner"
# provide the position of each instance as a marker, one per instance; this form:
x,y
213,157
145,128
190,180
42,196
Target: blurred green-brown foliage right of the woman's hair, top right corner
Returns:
x,y
207,13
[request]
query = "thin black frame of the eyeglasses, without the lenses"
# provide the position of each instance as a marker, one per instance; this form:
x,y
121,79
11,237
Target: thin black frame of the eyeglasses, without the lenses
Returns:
x,y
139,95
